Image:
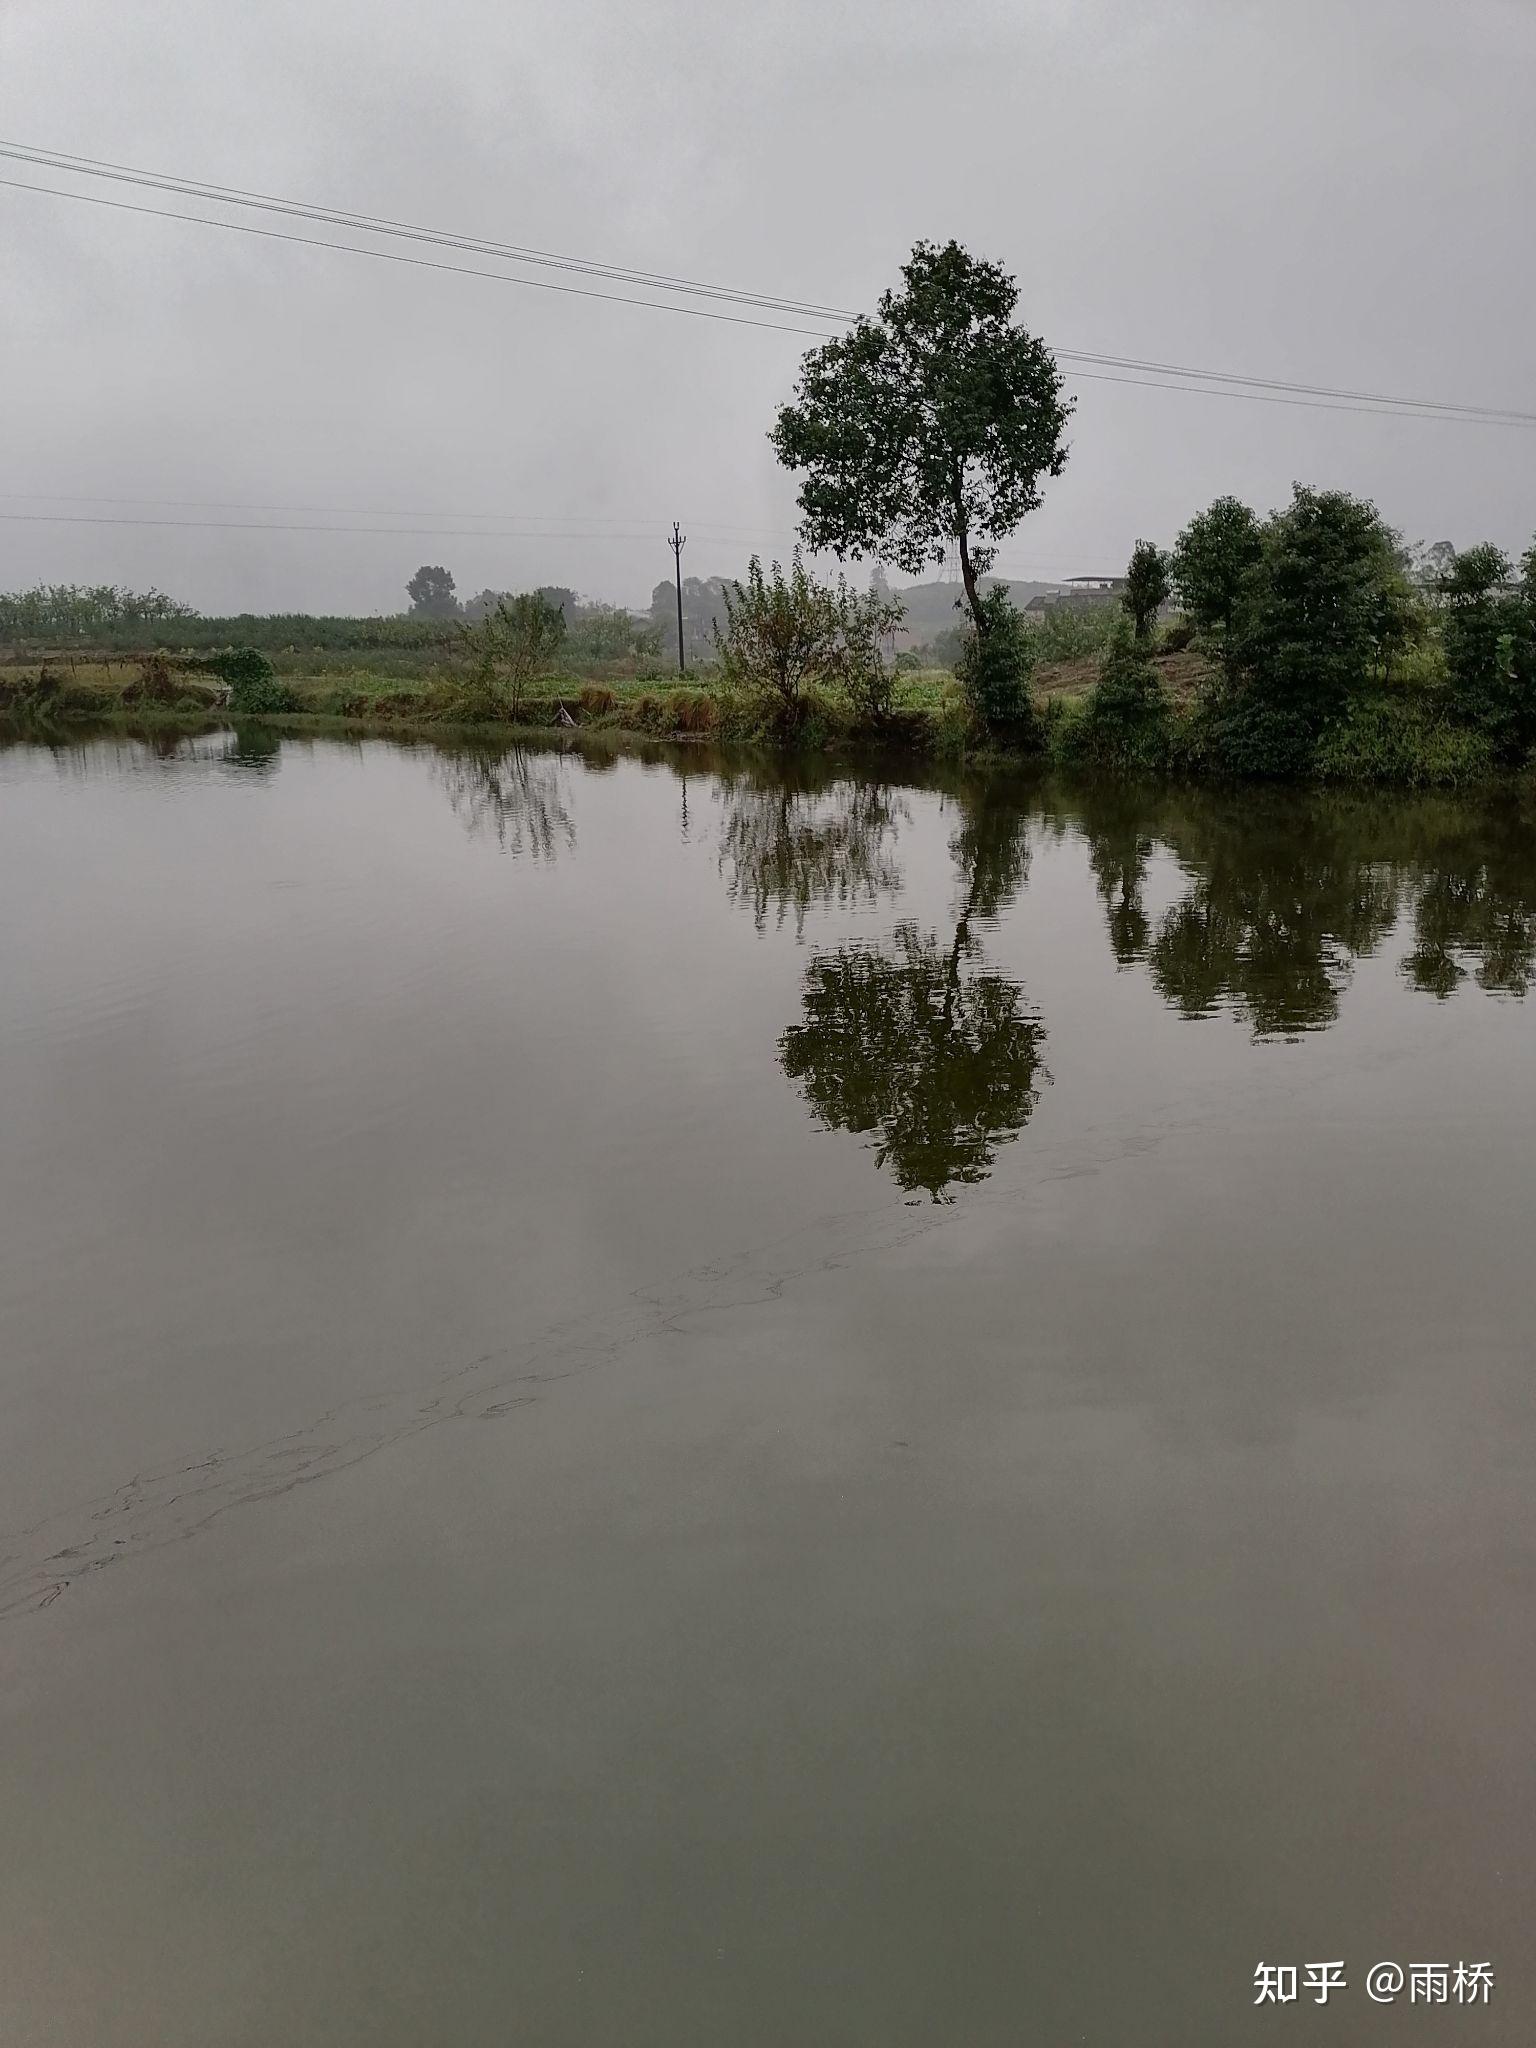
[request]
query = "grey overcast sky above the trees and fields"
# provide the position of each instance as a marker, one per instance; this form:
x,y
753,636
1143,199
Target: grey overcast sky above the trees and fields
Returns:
x,y
1332,191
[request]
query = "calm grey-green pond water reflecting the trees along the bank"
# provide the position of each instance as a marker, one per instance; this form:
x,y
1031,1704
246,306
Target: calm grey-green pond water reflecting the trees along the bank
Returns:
x,y
648,1404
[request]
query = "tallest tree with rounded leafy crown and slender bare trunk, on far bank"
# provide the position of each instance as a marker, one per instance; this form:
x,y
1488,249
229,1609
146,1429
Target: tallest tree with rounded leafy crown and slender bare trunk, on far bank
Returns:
x,y
927,431
